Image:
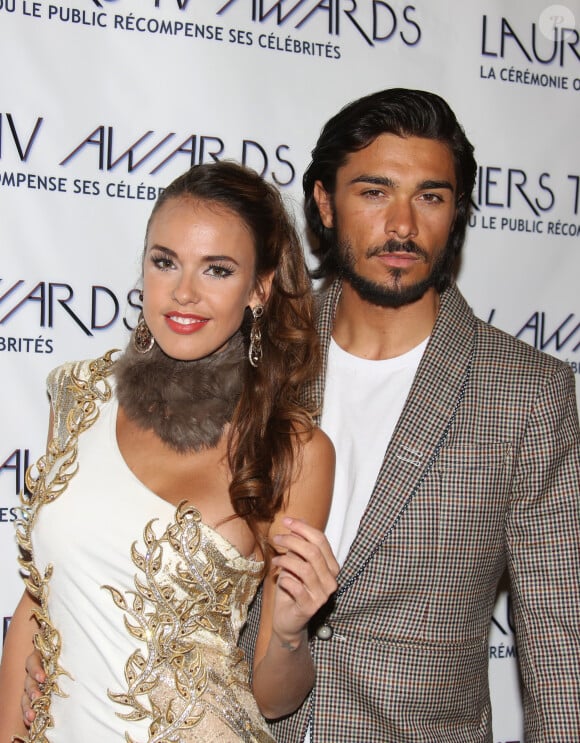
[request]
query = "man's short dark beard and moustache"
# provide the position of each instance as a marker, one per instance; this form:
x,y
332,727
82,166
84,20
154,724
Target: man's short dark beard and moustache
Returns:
x,y
395,295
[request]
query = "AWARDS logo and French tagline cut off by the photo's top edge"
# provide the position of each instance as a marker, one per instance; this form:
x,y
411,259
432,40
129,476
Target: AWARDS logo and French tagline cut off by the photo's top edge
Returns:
x,y
275,25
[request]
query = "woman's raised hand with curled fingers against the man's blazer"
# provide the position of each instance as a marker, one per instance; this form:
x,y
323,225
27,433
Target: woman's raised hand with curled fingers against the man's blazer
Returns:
x,y
306,572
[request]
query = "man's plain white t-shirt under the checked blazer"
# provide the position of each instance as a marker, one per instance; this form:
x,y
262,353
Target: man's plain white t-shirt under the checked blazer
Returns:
x,y
363,400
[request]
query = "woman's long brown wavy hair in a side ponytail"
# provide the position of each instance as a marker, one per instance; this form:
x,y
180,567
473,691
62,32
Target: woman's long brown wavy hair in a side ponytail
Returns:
x,y
273,414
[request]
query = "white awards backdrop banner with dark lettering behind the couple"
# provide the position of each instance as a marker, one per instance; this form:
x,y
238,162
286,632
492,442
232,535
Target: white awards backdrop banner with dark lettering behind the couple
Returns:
x,y
103,102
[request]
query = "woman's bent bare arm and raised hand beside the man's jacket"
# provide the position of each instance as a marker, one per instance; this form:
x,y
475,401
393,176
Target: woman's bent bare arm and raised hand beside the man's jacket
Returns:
x,y
301,579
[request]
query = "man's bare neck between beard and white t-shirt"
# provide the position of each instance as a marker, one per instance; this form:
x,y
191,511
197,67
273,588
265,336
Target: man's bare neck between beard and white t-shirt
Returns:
x,y
373,332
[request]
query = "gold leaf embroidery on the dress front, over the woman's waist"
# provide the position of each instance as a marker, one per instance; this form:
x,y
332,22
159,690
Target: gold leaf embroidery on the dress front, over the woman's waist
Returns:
x,y
181,610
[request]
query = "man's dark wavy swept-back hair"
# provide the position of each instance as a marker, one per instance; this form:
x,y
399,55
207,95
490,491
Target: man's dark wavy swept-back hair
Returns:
x,y
406,113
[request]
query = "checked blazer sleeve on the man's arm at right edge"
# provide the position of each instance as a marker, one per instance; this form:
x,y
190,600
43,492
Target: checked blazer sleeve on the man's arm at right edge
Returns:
x,y
543,537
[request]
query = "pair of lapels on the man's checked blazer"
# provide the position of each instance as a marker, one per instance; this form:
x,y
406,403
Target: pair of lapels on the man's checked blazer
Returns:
x,y
429,410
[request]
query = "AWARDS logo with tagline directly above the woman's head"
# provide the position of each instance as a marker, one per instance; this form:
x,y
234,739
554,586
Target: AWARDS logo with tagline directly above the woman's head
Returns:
x,y
142,152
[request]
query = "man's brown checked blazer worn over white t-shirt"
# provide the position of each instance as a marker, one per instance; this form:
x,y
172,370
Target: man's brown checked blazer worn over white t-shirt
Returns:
x,y
482,474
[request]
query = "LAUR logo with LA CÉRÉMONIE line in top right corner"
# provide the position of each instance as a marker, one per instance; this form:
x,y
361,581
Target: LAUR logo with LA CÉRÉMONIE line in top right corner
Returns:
x,y
543,52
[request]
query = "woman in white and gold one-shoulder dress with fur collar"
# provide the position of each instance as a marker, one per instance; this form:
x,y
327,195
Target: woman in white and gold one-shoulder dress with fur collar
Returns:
x,y
176,477
